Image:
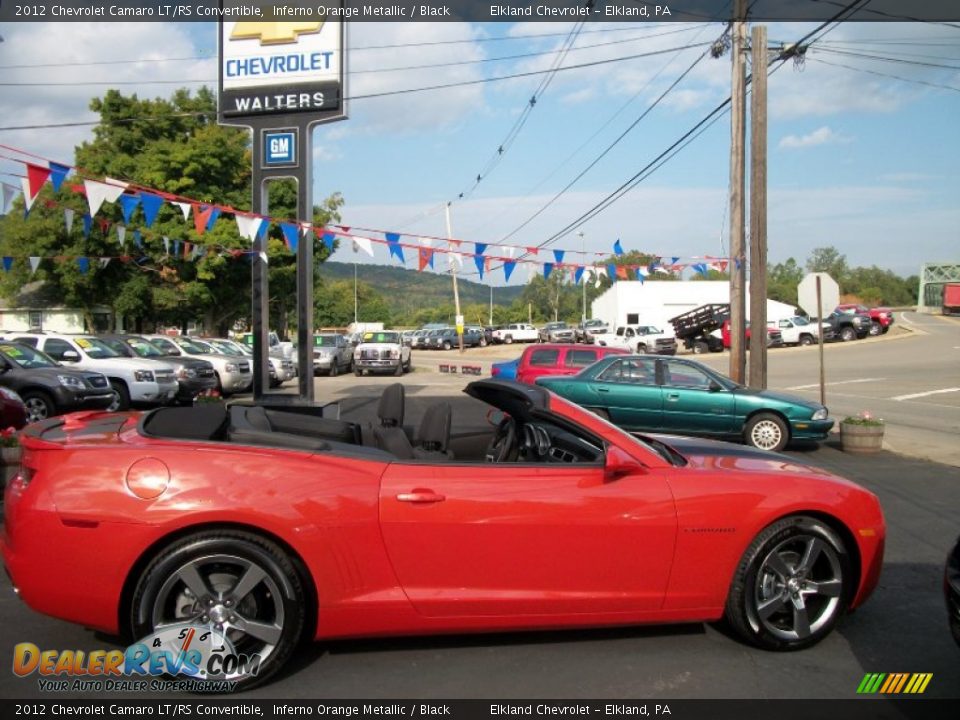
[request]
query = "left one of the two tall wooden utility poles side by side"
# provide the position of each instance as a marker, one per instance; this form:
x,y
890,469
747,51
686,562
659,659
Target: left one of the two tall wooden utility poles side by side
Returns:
x,y
738,109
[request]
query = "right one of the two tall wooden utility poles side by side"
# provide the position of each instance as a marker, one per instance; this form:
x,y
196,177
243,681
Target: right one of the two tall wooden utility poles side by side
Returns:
x,y
758,210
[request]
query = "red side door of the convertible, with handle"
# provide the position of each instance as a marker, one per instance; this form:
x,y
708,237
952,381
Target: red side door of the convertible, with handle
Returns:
x,y
527,539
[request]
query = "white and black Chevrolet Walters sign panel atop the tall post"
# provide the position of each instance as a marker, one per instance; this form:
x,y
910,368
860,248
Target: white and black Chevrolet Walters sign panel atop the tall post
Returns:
x,y
281,68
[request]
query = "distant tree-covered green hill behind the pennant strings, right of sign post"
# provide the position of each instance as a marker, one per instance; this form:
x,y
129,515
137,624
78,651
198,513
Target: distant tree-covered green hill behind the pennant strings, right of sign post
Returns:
x,y
412,290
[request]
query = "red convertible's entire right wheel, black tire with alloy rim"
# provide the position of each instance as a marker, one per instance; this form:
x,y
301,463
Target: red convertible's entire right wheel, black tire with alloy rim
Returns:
x,y
791,586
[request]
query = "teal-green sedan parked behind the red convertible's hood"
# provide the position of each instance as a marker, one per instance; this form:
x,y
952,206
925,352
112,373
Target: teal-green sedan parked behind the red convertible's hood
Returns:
x,y
683,397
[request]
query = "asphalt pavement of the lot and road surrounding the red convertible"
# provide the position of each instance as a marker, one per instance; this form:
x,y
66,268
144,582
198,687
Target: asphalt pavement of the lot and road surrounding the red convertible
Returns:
x,y
903,627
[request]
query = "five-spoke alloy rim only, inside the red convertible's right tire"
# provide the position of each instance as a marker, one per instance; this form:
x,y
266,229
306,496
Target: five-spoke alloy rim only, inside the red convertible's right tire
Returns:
x,y
798,588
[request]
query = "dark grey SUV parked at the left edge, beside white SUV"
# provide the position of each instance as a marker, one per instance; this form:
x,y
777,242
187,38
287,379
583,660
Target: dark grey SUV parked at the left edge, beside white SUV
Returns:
x,y
48,388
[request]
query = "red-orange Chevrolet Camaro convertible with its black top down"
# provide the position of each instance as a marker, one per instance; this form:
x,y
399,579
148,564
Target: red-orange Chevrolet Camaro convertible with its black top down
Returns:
x,y
270,526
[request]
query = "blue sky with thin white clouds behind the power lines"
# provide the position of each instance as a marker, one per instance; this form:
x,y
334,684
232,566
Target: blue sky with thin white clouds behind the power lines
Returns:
x,y
858,160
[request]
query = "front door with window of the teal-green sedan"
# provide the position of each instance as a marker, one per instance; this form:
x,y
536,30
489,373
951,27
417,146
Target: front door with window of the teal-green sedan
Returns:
x,y
689,403
